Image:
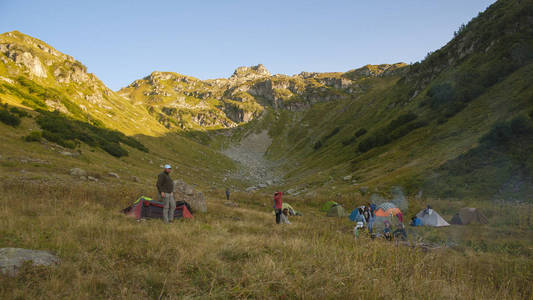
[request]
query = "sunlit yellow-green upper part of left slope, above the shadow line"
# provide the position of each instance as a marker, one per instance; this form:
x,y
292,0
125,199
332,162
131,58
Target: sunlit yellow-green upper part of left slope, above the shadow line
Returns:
x,y
35,75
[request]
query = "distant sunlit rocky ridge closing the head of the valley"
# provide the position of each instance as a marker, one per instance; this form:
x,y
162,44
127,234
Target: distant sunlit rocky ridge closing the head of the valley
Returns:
x,y
190,103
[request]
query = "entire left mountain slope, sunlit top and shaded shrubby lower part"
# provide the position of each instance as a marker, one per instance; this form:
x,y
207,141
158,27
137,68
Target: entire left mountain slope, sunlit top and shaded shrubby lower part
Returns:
x,y
92,128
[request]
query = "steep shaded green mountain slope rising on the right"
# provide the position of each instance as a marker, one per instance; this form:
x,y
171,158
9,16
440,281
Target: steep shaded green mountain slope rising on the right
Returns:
x,y
418,120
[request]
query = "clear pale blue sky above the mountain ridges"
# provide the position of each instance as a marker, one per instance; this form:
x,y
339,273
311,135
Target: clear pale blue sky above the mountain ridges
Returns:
x,y
121,41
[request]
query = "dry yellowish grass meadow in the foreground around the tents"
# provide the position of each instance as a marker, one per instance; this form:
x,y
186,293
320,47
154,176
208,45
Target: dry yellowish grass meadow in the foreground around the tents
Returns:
x,y
239,252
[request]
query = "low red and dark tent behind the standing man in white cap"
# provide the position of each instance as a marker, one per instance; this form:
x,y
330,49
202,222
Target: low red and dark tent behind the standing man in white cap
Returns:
x,y
146,207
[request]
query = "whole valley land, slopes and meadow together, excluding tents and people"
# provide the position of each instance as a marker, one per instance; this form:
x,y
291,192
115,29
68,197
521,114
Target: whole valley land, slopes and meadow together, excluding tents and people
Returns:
x,y
453,130
